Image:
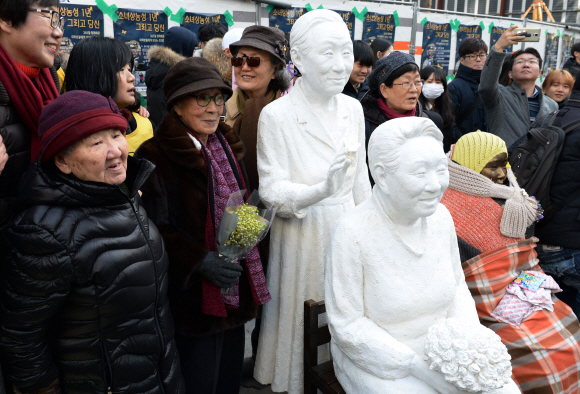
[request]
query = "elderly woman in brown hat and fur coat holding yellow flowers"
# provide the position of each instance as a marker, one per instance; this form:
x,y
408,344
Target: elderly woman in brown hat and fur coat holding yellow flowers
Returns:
x,y
198,166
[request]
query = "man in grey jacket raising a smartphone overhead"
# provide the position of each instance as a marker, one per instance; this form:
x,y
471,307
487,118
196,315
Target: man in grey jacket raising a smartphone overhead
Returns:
x,y
512,109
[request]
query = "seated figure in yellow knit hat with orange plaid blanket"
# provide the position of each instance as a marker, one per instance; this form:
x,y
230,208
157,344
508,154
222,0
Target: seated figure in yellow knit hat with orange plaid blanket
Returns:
x,y
492,217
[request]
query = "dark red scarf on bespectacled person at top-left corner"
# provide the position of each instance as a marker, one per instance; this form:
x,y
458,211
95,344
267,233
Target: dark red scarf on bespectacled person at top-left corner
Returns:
x,y
27,97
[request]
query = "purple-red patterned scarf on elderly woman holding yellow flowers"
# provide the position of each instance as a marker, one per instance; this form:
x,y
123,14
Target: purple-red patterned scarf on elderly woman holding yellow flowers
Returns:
x,y
224,183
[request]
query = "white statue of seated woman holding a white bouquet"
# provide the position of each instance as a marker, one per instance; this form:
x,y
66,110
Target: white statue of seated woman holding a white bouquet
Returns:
x,y
393,268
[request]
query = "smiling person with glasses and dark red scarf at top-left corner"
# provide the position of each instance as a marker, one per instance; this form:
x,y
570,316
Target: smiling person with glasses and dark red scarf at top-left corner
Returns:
x,y
27,82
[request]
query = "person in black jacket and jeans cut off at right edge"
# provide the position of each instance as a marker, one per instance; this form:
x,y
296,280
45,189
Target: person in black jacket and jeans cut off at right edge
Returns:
x,y
559,247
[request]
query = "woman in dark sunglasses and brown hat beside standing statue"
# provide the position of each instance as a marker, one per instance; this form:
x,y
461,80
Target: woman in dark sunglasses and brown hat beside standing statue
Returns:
x,y
259,61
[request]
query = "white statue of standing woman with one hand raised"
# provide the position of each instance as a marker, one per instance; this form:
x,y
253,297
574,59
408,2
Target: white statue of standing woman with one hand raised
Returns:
x,y
312,165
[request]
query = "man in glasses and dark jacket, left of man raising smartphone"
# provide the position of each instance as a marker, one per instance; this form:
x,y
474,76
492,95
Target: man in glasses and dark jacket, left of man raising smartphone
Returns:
x,y
463,90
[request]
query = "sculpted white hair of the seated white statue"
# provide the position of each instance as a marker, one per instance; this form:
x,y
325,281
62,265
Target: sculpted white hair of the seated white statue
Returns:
x,y
386,141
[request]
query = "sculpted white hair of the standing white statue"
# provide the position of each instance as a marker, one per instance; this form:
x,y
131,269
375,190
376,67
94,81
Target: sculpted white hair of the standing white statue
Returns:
x,y
300,39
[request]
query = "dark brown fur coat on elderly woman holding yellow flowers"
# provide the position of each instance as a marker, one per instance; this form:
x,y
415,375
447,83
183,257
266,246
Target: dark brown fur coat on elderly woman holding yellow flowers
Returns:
x,y
176,197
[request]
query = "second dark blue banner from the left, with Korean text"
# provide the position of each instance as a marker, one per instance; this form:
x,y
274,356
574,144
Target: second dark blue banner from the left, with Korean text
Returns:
x,y
141,29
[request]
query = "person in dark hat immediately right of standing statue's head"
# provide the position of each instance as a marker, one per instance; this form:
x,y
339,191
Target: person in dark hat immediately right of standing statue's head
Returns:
x,y
364,60
